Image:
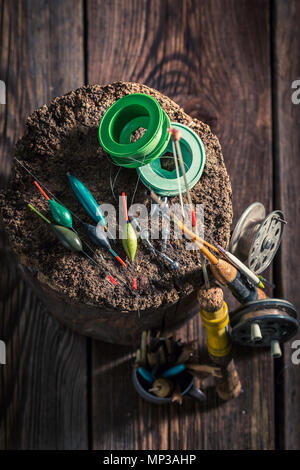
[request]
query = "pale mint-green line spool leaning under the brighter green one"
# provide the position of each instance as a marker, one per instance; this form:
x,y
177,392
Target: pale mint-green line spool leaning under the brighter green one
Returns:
x,y
164,182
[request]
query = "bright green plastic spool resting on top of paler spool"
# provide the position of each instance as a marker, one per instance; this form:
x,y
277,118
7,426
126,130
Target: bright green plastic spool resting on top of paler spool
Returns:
x,y
126,116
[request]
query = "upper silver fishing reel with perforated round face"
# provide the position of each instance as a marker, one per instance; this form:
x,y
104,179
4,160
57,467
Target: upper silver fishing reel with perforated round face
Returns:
x,y
257,237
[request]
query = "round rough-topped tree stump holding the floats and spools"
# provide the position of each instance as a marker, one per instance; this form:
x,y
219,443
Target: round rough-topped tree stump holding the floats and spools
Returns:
x,y
63,136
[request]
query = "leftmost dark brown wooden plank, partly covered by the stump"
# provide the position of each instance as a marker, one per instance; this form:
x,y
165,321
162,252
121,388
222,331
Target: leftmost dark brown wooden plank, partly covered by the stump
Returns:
x,y
43,385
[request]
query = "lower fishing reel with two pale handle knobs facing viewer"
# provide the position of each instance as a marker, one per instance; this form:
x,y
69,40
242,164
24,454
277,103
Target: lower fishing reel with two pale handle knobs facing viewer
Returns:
x,y
264,323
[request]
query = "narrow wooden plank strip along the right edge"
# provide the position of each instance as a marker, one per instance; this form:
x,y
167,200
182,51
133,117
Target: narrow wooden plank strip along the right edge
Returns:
x,y
286,69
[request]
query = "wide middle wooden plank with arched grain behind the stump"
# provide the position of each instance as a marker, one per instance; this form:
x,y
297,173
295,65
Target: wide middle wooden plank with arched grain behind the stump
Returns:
x,y
214,57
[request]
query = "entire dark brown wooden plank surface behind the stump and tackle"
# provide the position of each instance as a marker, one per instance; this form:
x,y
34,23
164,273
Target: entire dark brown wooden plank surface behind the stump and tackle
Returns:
x,y
230,63
